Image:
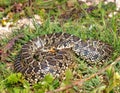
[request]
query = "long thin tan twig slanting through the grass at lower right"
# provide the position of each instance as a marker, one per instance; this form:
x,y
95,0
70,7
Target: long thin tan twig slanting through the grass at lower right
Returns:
x,y
81,81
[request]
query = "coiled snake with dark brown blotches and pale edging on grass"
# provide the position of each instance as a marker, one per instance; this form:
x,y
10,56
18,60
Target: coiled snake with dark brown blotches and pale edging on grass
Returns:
x,y
55,53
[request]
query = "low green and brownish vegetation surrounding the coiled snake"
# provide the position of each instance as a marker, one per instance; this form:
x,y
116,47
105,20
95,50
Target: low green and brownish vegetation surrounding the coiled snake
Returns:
x,y
86,22
